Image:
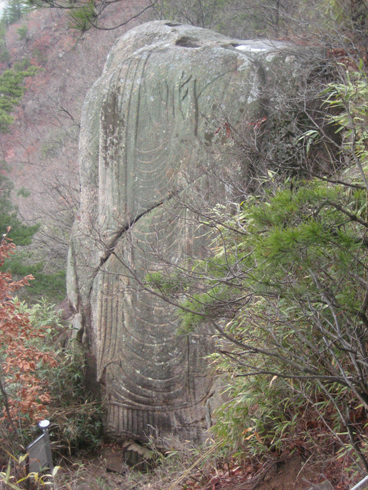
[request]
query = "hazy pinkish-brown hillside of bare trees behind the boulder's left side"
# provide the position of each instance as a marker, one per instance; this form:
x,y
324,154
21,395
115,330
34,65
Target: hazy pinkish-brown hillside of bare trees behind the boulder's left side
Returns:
x,y
40,142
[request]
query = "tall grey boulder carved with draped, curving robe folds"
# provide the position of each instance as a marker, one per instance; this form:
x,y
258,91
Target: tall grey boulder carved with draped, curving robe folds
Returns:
x,y
157,131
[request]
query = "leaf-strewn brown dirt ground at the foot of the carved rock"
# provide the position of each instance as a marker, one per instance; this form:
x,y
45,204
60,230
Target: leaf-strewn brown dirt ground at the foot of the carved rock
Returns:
x,y
290,474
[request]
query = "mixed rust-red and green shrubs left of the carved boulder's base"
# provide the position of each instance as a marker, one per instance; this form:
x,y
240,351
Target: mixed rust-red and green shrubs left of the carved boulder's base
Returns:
x,y
40,378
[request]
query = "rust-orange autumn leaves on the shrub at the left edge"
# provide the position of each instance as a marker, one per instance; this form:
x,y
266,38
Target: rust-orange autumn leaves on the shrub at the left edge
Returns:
x,y
19,359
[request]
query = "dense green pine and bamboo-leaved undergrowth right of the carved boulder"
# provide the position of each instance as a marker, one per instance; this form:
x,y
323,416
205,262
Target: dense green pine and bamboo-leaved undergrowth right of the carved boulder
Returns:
x,y
286,296
